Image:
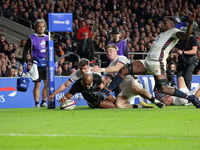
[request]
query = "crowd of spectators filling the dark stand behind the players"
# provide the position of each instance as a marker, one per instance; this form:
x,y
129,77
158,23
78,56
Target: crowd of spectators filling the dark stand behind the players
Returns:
x,y
139,22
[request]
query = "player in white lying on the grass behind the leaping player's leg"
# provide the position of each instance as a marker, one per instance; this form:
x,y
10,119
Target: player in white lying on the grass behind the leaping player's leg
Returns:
x,y
173,100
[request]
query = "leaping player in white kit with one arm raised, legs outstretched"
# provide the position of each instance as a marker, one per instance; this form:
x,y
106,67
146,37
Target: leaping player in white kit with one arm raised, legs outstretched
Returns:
x,y
155,62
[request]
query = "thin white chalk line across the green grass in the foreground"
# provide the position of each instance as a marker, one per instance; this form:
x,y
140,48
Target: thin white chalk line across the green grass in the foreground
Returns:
x,y
112,136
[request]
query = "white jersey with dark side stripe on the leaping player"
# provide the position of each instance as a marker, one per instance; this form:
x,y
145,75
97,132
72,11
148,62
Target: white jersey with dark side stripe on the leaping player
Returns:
x,y
162,45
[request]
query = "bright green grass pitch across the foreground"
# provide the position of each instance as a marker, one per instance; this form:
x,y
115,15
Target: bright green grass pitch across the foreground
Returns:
x,y
100,129
